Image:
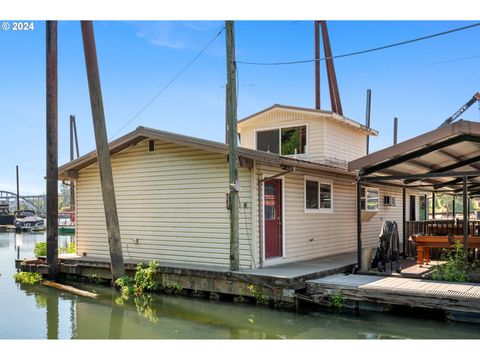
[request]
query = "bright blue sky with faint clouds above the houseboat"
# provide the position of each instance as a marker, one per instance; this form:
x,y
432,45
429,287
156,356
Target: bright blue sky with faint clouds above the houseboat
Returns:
x,y
421,83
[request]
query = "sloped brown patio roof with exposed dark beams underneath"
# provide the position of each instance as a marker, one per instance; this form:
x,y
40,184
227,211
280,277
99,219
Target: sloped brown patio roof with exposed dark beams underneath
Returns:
x,y
434,161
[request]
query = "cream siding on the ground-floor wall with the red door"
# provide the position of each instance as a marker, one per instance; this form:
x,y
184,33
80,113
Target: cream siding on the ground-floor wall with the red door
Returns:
x,y
314,235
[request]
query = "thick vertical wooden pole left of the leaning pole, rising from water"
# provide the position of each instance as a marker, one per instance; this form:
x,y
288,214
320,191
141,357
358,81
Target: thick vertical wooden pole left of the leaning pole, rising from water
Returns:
x,y
52,149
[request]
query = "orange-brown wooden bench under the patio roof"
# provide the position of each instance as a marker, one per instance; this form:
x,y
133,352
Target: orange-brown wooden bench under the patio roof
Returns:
x,y
426,242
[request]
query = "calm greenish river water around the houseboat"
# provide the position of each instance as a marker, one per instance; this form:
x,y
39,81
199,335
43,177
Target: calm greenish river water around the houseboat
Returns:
x,y
38,312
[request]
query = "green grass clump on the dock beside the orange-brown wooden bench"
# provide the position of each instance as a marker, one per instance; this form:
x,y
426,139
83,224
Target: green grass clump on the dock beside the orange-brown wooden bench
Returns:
x,y
455,267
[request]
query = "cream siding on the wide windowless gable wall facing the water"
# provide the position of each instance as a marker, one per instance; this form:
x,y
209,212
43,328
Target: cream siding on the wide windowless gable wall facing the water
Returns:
x,y
172,200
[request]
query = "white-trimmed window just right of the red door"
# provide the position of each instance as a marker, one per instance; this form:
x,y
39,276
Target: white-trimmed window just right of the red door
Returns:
x,y
318,195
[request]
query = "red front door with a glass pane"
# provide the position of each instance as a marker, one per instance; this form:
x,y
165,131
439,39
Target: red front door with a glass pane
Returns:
x,y
272,203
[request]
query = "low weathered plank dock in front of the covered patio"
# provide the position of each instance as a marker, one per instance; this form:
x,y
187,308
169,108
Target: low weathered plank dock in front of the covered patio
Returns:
x,y
458,301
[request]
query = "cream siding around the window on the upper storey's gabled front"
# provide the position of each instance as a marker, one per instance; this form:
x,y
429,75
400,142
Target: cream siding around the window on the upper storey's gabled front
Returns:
x,y
285,118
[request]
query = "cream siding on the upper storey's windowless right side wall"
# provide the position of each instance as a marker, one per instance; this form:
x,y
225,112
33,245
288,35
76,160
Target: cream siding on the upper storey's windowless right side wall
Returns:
x,y
343,142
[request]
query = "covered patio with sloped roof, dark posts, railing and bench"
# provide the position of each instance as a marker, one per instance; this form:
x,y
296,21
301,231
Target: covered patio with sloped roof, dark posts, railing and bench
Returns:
x,y
442,161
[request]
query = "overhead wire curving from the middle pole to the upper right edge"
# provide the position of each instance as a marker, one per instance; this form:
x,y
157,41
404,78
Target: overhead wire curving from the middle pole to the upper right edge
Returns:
x,y
362,51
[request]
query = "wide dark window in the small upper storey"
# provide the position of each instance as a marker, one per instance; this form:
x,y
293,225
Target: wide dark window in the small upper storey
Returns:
x,y
290,140
